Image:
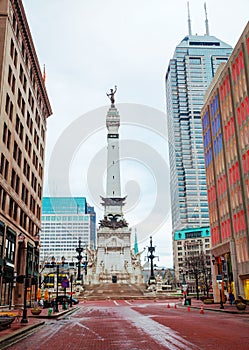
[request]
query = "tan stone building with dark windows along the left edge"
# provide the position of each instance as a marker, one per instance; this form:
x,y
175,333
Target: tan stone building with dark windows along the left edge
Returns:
x,y
24,109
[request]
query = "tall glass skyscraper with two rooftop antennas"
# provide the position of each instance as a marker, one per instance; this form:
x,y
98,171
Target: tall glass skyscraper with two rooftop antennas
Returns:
x,y
189,73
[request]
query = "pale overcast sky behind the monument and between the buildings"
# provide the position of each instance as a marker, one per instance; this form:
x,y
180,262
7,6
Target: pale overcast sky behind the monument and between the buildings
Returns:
x,y
90,46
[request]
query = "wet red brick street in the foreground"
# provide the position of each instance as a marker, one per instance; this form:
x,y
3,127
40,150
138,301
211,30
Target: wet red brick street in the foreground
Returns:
x,y
140,325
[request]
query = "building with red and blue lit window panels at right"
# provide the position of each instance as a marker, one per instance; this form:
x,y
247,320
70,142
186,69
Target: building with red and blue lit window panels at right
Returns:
x,y
225,122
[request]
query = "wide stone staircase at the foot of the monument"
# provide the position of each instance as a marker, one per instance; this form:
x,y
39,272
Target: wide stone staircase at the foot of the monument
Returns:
x,y
113,291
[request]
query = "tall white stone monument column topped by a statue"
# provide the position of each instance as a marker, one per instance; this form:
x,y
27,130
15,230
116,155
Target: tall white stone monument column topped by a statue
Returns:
x,y
115,262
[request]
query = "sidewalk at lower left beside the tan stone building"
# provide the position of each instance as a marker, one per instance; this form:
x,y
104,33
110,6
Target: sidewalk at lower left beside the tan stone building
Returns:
x,y
18,328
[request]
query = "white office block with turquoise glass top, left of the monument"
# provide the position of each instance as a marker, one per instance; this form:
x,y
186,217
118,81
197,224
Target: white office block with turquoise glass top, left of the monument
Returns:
x,y
65,221
